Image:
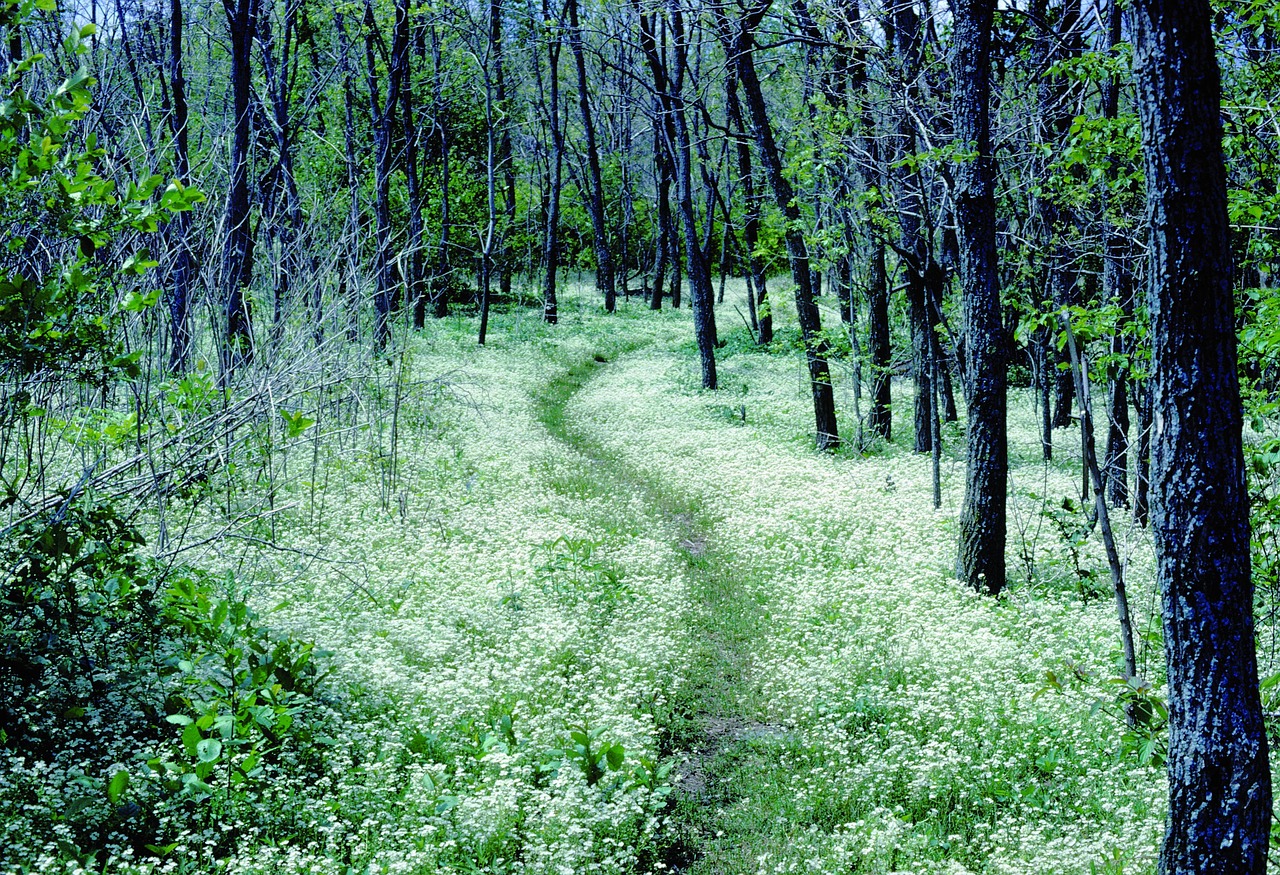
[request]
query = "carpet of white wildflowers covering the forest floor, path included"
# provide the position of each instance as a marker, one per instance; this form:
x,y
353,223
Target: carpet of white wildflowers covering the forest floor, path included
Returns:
x,y
573,615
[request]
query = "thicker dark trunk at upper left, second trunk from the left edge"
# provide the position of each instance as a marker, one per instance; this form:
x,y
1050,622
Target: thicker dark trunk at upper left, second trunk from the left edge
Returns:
x,y
239,248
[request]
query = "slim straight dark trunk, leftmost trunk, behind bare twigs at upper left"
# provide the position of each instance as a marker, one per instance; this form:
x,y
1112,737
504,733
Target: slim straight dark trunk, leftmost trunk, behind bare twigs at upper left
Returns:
x,y
180,230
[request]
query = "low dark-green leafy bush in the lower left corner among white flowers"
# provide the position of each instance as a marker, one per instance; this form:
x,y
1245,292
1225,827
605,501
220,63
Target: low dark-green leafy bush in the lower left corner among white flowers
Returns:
x,y
106,653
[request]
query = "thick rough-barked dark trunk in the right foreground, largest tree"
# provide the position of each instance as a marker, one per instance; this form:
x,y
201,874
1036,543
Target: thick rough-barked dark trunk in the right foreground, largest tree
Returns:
x,y
1219,773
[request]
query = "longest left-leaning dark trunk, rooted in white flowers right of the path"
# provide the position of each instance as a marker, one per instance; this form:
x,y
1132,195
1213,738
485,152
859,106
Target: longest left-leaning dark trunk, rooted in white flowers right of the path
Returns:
x,y
740,44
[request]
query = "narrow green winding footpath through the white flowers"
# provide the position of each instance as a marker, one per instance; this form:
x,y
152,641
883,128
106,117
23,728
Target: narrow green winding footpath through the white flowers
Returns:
x,y
707,730
